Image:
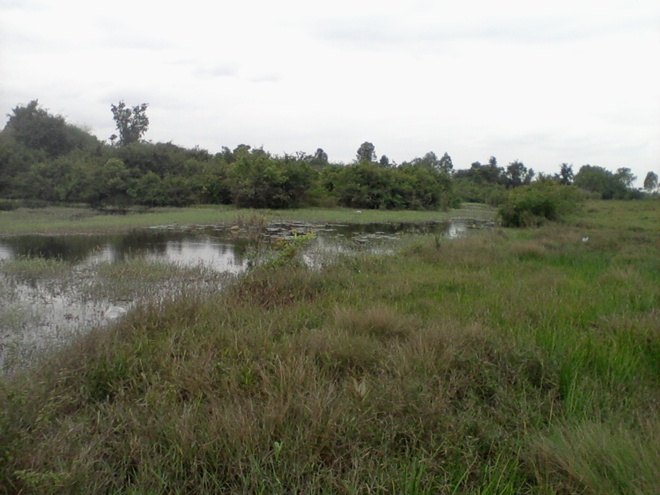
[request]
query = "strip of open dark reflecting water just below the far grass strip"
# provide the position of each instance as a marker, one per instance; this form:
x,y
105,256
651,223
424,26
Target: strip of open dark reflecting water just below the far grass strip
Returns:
x,y
220,250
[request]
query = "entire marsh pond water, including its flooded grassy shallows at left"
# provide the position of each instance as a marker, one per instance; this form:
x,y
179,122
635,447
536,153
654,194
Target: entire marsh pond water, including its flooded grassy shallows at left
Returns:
x,y
89,287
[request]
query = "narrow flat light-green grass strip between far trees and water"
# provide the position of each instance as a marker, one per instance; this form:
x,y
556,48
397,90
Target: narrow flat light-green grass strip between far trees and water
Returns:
x,y
58,220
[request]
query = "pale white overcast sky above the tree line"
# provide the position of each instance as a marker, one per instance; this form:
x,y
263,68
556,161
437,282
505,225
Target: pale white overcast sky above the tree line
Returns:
x,y
543,82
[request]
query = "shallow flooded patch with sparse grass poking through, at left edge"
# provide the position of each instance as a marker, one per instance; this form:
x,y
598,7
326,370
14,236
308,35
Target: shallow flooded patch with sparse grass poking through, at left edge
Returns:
x,y
45,303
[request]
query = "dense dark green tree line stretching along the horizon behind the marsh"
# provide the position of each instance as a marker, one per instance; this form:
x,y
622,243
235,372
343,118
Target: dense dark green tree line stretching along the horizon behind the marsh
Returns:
x,y
42,157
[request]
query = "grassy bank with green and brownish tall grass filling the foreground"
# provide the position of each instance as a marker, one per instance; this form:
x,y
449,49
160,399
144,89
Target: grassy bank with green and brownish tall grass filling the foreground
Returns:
x,y
508,362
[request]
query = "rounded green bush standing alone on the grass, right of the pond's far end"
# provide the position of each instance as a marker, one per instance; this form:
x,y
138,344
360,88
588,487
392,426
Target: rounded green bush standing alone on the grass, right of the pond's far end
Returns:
x,y
537,203
